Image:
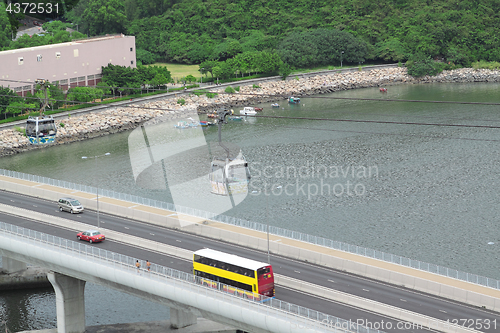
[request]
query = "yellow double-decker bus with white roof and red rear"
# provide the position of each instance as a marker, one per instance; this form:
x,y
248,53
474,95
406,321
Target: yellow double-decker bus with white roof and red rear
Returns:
x,y
240,276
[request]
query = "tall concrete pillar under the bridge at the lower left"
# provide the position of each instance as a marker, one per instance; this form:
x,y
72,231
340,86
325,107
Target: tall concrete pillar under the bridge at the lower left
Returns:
x,y
70,303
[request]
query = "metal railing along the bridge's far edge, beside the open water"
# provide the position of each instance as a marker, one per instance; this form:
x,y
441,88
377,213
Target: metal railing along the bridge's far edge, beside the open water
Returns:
x,y
316,240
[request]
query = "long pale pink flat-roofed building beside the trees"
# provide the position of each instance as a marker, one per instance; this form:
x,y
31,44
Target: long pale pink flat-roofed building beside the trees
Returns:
x,y
72,64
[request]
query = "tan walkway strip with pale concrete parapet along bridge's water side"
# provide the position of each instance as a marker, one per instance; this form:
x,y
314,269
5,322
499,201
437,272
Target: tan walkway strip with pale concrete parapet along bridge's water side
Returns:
x,y
400,275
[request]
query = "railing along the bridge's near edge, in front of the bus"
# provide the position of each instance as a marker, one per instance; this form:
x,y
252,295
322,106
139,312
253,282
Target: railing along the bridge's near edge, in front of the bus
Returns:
x,y
314,319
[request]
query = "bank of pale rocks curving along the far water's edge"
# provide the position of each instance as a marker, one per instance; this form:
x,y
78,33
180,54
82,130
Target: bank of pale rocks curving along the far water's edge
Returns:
x,y
118,119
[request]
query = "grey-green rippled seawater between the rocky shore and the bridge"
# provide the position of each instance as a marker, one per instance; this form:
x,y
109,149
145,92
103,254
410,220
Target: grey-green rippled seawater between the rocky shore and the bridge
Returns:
x,y
373,178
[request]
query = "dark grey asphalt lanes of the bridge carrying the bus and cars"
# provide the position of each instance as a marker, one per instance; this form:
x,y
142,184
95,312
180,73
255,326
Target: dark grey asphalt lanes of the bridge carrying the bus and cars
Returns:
x,y
428,305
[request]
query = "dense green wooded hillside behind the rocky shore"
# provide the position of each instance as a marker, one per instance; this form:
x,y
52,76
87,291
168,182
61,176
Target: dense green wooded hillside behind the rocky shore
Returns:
x,y
192,31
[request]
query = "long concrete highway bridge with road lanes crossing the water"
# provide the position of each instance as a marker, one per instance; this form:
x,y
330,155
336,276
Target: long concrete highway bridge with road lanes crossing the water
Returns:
x,y
321,290
